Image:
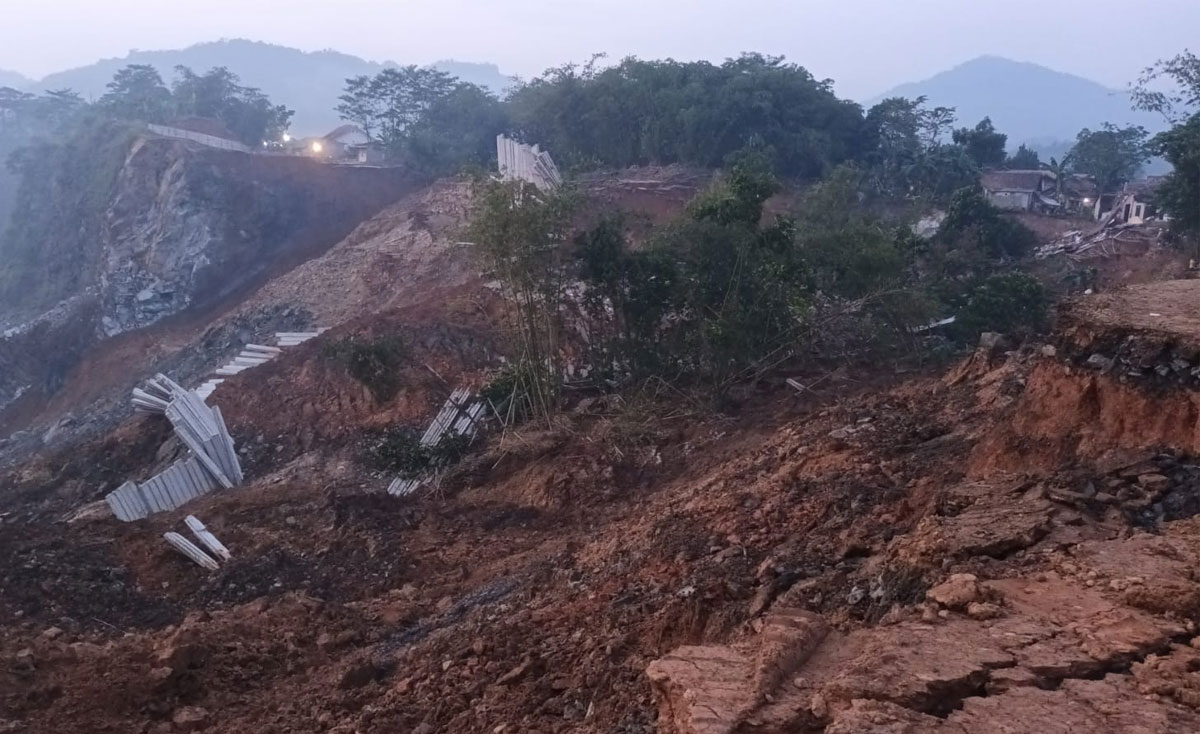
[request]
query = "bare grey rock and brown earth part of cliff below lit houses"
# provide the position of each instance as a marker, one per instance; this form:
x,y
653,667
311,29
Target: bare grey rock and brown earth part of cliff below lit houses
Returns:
x,y
193,226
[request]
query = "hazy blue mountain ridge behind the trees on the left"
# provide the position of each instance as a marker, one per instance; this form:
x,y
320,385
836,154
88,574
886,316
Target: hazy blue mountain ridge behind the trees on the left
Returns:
x,y
308,82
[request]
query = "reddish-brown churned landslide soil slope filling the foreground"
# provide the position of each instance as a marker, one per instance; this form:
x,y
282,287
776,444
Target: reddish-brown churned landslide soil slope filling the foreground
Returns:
x,y
869,556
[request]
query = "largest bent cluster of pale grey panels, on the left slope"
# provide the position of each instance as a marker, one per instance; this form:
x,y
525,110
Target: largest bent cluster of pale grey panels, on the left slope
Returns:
x,y
213,462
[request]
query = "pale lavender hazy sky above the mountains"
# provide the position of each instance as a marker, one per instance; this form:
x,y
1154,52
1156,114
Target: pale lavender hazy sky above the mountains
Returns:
x,y
867,46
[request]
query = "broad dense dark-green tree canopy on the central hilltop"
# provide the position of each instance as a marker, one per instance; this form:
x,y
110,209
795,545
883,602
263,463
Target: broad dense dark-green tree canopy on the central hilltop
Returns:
x,y
669,112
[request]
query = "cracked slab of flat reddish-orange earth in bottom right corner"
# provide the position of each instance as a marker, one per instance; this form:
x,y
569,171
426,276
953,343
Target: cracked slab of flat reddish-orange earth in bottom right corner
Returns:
x,y
1091,652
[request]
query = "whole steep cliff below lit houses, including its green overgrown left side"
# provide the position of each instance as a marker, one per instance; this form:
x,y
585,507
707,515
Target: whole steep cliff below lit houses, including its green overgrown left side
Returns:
x,y
148,228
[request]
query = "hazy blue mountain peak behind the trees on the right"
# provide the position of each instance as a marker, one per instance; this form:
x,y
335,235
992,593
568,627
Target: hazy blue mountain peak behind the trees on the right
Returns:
x,y
1030,104
